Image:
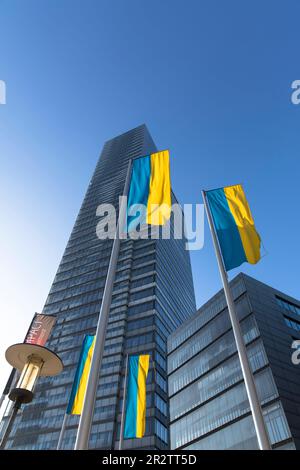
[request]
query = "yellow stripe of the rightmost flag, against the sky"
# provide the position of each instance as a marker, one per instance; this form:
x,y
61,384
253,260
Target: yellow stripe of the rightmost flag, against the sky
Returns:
x,y
241,213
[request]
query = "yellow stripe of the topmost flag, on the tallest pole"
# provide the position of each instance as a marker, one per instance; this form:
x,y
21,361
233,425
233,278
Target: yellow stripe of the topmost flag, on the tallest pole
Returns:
x,y
159,199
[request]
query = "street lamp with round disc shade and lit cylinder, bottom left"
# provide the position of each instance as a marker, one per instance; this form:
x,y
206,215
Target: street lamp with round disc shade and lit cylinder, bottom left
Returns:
x,y
32,361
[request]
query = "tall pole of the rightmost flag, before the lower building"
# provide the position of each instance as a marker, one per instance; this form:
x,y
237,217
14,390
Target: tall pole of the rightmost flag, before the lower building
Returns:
x,y
260,427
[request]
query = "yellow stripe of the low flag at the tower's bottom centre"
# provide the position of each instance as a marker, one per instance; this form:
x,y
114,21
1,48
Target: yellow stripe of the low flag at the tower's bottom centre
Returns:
x,y
141,398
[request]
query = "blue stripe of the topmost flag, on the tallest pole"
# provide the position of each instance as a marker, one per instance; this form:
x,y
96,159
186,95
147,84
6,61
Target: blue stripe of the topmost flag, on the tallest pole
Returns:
x,y
139,191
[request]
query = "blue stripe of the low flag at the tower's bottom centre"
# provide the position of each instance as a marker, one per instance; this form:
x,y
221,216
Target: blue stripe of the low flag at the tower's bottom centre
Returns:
x,y
131,402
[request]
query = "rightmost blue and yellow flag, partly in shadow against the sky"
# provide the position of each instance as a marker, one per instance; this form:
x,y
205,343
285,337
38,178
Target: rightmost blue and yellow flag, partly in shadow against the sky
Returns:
x,y
234,224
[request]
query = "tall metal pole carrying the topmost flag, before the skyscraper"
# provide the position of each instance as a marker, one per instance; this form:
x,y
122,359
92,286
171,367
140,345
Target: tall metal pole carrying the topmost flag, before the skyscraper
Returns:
x,y
86,417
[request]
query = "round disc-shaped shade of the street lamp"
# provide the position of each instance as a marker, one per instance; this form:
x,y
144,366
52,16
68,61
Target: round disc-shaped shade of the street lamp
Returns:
x,y
17,355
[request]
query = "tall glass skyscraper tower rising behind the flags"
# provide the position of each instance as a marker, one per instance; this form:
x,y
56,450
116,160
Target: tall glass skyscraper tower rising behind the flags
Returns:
x,y
153,294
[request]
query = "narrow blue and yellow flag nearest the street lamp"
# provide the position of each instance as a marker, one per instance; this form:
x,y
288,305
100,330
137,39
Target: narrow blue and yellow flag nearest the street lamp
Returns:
x,y
75,404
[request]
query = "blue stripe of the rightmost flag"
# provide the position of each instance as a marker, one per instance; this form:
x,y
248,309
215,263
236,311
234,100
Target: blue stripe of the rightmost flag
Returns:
x,y
227,231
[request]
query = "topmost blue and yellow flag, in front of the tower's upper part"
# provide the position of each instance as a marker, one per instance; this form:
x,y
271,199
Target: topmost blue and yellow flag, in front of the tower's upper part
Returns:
x,y
149,197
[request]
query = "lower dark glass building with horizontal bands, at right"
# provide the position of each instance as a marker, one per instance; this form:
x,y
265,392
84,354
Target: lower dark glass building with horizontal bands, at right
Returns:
x,y
209,408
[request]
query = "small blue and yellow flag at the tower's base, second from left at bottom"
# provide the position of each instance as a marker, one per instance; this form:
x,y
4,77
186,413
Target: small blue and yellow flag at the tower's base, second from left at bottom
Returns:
x,y
135,417
